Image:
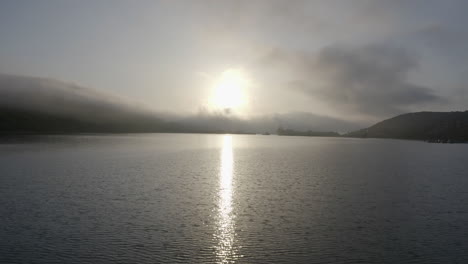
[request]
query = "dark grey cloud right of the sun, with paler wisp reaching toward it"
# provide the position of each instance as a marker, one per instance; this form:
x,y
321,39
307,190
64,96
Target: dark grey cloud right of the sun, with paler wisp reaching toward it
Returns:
x,y
372,80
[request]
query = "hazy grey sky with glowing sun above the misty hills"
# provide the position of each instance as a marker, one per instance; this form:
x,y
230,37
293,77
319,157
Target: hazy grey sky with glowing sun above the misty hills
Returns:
x,y
359,61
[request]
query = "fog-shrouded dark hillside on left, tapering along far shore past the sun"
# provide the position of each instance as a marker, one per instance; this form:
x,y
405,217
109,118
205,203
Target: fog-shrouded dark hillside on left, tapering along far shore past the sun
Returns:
x,y
60,104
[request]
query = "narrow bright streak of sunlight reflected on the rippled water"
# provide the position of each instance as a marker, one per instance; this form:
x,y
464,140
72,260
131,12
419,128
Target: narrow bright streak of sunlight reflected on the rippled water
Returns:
x,y
225,225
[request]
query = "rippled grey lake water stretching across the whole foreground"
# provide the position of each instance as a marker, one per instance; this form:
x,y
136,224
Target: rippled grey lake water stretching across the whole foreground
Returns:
x,y
223,199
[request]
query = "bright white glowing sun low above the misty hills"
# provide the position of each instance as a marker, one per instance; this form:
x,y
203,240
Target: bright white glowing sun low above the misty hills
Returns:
x,y
230,90
